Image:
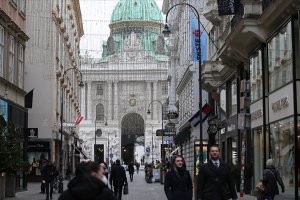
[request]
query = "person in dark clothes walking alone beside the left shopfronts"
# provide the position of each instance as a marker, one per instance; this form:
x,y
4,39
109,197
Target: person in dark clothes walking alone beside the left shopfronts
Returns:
x,y
49,172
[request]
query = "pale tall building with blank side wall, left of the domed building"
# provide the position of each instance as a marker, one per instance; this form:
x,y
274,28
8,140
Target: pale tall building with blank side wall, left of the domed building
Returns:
x,y
55,29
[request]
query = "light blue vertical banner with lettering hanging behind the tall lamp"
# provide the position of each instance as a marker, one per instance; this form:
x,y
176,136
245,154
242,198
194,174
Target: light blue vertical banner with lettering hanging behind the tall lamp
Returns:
x,y
199,47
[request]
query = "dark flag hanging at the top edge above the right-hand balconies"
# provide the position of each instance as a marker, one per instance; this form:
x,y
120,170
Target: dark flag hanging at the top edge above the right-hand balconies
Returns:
x,y
228,7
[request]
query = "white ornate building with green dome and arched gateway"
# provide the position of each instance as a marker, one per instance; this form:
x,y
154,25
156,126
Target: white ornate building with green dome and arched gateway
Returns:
x,y
129,79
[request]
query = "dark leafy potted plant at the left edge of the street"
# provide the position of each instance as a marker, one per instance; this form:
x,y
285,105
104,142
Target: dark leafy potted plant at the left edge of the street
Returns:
x,y
11,158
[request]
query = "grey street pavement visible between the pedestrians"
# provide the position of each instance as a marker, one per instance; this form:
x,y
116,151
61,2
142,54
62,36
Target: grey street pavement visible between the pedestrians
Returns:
x,y
138,189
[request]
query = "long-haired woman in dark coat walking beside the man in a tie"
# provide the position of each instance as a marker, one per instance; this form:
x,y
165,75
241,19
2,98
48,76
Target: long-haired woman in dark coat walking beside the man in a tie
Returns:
x,y
178,182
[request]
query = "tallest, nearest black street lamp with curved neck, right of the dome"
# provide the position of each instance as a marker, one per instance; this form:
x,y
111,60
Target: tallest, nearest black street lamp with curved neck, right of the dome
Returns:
x,y
166,33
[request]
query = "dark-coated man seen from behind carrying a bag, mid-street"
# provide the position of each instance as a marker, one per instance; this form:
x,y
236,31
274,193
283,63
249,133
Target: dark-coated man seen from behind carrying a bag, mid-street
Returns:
x,y
118,179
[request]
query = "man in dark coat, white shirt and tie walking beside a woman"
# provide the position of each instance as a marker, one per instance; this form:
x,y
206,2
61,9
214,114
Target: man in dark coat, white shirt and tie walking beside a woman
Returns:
x,y
215,179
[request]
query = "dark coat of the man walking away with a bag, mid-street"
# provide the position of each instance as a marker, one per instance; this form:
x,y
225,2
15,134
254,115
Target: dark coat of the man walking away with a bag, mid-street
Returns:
x,y
117,176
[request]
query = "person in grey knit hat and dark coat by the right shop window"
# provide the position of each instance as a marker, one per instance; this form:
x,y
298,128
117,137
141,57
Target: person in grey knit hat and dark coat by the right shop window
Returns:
x,y
270,178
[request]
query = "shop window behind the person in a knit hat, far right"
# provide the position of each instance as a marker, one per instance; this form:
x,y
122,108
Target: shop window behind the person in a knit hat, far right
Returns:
x,y
282,150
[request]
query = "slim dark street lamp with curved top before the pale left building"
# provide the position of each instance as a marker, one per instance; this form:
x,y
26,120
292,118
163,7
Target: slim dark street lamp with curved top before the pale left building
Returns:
x,y
81,84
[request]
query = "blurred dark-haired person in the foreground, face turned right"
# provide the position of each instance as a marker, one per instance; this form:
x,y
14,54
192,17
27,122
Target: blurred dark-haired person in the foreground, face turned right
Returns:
x,y
89,183
